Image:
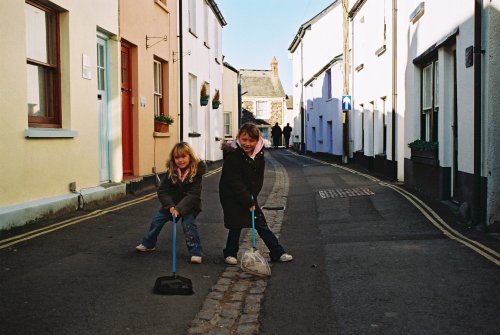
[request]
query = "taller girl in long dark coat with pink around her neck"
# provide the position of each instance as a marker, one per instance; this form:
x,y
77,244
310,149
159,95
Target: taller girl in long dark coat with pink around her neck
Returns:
x,y
241,181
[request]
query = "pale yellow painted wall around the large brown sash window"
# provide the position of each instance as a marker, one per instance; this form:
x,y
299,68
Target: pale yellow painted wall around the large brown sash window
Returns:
x,y
42,168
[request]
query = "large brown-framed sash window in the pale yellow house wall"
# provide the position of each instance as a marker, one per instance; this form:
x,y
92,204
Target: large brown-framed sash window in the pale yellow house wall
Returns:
x,y
43,81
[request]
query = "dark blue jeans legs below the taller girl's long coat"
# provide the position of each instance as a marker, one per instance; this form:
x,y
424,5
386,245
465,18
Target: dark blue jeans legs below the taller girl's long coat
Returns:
x,y
233,240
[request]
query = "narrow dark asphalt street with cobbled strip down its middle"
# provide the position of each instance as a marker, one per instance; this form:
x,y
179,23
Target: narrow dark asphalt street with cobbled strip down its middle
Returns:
x,y
370,258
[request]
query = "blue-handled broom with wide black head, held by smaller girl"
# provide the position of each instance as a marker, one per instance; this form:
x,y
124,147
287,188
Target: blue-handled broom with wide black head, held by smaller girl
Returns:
x,y
174,284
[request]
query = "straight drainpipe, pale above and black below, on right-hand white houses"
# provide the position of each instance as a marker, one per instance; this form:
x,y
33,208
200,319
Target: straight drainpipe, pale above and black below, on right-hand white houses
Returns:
x,y
394,86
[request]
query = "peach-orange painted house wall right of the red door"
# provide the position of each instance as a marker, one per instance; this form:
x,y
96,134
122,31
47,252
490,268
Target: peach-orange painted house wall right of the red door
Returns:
x,y
152,19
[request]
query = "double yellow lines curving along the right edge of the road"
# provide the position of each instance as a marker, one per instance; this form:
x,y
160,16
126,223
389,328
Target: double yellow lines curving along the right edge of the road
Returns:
x,y
432,216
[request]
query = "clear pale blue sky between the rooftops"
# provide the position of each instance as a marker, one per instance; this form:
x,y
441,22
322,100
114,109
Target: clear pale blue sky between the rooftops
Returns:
x,y
257,30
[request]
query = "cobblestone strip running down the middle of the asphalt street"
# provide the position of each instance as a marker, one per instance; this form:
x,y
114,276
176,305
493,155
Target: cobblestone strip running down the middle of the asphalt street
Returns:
x,y
233,305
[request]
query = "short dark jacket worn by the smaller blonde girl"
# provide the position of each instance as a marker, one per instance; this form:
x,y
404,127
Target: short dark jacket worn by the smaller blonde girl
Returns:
x,y
184,196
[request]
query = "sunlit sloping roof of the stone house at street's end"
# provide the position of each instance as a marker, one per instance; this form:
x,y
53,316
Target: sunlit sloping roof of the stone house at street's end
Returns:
x,y
261,83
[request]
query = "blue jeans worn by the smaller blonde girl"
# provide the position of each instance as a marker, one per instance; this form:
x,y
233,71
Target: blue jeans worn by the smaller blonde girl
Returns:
x,y
188,225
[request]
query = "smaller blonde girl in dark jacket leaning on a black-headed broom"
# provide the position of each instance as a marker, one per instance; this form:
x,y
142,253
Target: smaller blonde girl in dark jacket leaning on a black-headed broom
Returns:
x,y
180,196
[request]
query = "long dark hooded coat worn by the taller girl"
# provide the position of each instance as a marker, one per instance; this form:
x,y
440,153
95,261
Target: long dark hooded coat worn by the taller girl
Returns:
x,y
241,179
